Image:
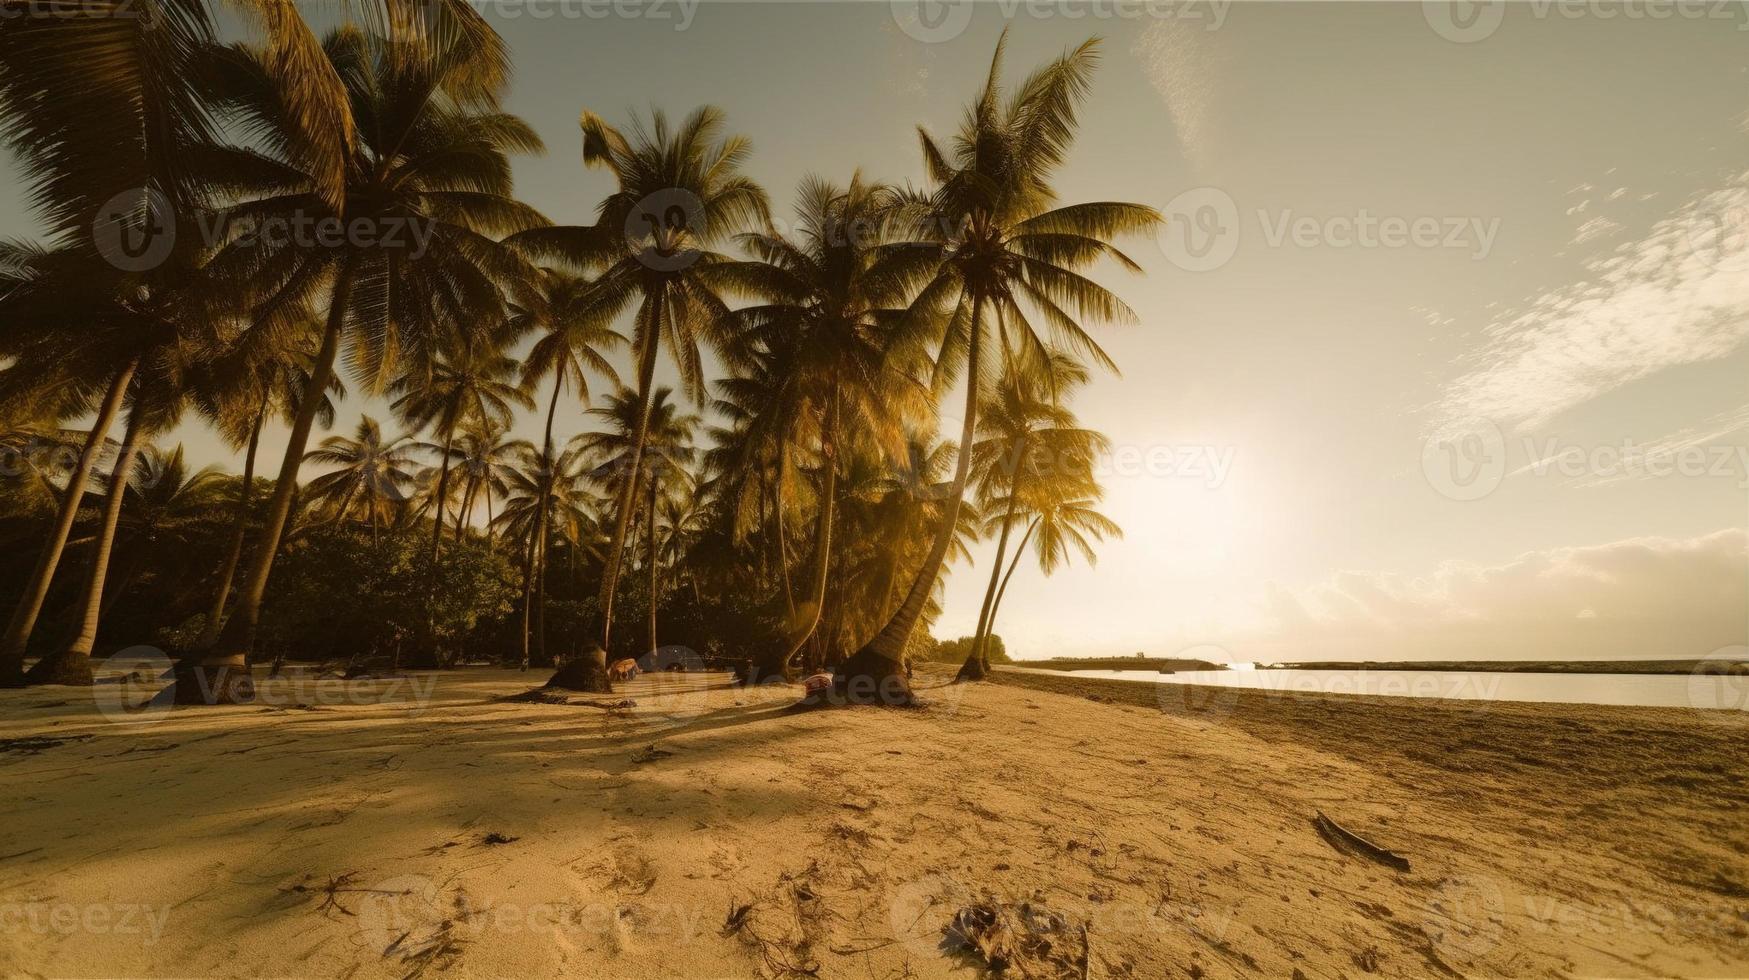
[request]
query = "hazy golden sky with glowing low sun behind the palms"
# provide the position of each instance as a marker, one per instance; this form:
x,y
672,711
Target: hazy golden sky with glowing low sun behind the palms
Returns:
x,y
1440,354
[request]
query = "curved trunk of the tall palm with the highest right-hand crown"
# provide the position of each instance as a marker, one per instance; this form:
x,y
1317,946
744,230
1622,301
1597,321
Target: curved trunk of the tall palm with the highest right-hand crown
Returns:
x,y
875,675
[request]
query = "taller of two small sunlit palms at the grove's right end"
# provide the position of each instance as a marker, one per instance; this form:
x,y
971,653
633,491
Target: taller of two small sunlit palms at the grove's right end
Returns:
x,y
1028,437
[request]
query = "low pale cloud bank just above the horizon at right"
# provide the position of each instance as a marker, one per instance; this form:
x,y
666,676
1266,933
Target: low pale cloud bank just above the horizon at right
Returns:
x,y
1650,598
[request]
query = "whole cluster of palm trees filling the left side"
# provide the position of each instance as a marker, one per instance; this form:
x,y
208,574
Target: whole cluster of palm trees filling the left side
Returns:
x,y
819,496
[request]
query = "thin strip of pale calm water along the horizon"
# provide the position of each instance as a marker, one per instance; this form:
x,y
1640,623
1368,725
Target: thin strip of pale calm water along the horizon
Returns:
x,y
1652,690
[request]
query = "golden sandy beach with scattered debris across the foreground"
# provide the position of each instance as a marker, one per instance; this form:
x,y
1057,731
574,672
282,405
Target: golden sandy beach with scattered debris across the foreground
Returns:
x,y
426,827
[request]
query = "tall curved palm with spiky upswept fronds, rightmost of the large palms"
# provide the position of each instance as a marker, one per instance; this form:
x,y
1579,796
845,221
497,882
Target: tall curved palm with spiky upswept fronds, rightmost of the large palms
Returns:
x,y
991,242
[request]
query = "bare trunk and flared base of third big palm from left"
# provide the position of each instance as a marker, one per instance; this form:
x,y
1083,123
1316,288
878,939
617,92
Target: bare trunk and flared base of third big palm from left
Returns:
x,y
221,675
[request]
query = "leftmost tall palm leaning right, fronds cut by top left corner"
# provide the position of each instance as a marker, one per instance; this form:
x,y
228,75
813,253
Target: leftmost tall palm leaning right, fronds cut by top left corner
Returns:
x,y
104,111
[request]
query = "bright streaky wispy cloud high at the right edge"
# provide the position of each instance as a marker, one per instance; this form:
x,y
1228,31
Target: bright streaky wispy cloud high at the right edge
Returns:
x,y
1676,297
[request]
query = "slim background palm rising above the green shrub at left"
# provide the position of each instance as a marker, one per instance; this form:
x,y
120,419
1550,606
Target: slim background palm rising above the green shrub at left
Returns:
x,y
471,382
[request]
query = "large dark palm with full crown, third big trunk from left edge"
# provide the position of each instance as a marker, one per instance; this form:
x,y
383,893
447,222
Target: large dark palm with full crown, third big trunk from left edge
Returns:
x,y
435,158
